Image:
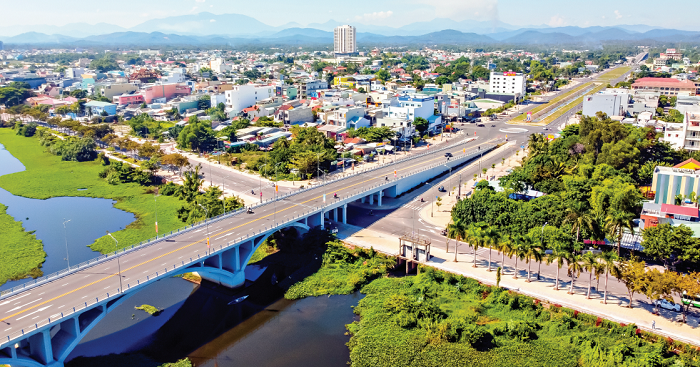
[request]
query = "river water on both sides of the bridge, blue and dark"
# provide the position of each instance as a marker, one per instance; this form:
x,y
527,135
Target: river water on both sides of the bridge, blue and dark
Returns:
x,y
198,321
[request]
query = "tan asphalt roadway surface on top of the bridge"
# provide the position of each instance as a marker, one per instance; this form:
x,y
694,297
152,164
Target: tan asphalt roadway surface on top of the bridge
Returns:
x,y
38,304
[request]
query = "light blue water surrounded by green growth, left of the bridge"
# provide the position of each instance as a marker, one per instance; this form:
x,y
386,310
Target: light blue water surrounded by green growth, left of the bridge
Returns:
x,y
89,219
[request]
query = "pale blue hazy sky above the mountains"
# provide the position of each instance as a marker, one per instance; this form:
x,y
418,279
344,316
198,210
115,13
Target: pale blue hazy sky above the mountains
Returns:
x,y
680,14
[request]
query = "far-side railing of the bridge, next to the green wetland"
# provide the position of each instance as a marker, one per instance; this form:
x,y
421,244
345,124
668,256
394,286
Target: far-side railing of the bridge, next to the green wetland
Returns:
x,y
106,257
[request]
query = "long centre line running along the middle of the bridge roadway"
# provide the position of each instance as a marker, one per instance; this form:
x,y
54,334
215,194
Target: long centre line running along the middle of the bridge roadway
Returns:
x,y
213,236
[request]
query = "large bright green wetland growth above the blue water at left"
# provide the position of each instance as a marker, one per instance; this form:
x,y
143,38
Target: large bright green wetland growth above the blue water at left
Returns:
x,y
48,176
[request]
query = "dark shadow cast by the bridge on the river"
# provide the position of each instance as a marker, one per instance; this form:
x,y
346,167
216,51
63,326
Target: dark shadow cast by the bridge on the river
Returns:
x,y
210,311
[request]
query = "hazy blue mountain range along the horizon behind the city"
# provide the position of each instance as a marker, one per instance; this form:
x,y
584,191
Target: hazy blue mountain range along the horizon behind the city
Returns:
x,y
238,30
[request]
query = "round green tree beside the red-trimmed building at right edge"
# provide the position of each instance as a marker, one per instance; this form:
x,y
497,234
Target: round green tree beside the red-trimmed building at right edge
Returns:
x,y
671,244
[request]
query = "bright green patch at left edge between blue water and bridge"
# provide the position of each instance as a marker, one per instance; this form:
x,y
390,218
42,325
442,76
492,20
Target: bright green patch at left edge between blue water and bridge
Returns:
x,y
21,253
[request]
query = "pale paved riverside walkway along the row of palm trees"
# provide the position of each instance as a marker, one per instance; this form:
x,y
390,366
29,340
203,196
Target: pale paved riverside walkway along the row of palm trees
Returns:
x,y
543,290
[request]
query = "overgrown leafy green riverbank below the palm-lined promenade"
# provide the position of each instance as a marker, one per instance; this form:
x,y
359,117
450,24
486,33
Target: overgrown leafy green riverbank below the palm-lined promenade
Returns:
x,y
441,318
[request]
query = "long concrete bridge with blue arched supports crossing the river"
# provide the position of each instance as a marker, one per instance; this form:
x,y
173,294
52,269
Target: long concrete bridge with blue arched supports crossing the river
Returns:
x,y
43,321
